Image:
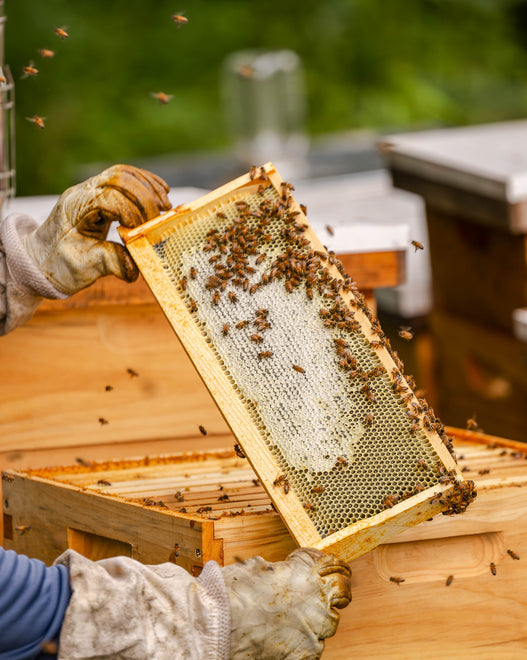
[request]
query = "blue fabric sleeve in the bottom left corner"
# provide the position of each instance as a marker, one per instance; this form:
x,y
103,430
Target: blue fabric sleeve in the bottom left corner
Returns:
x,y
33,601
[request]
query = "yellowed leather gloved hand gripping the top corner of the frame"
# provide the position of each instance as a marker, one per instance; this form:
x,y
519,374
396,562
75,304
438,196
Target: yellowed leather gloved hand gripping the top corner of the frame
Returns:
x,y
70,247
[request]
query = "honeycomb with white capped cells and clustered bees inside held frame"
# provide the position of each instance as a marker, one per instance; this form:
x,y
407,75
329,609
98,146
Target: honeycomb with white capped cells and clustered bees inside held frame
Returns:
x,y
289,330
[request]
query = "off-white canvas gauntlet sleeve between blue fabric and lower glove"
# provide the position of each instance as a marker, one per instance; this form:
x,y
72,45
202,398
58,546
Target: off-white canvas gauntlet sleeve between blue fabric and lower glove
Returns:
x,y
123,609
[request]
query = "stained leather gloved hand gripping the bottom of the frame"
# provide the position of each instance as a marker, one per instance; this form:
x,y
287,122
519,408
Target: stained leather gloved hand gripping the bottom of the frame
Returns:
x,y
284,610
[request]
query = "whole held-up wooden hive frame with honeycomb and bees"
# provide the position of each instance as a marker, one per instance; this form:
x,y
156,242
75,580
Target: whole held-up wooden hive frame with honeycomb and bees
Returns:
x,y
300,370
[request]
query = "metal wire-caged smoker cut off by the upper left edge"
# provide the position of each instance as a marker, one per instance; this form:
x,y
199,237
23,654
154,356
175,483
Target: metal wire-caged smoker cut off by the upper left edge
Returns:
x,y
7,121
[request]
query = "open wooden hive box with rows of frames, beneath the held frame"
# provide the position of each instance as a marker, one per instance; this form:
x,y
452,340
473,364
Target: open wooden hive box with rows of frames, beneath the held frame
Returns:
x,y
47,511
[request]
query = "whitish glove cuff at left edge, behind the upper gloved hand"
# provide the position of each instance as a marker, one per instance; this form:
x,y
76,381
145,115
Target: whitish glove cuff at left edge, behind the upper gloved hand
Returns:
x,y
22,284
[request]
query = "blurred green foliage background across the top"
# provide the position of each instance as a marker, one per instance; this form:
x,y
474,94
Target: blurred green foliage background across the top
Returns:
x,y
384,65
